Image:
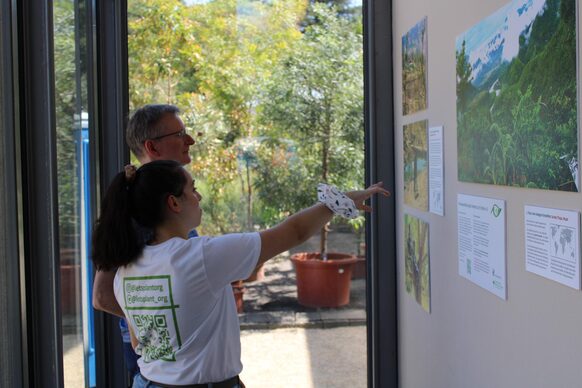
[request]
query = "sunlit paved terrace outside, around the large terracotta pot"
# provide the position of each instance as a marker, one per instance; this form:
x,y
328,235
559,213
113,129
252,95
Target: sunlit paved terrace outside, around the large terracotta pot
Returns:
x,y
288,345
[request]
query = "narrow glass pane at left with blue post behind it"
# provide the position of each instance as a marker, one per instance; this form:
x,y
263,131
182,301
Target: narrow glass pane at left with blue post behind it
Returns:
x,y
73,186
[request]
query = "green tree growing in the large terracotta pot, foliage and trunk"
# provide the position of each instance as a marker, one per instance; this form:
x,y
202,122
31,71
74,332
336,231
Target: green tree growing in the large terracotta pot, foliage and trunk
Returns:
x,y
315,98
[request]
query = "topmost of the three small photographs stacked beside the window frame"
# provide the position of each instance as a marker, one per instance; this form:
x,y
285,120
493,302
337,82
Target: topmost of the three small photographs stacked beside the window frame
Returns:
x,y
414,63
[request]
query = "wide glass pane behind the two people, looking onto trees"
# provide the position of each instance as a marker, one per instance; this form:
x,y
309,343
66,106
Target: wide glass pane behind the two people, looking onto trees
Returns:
x,y
272,92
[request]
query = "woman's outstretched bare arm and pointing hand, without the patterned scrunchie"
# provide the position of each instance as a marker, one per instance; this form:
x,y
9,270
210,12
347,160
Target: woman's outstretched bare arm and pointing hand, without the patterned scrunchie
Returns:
x,y
304,224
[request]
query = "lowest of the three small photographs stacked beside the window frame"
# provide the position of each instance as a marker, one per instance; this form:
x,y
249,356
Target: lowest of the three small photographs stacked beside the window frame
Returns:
x,y
417,260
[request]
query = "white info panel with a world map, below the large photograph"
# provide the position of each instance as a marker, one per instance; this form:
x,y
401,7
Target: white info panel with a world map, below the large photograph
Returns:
x,y
552,247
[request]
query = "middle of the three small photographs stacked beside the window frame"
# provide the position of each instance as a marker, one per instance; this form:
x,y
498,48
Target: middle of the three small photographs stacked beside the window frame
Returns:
x,y
416,165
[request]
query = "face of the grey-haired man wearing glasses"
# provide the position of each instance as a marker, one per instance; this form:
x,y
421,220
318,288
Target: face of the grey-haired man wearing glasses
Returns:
x,y
172,143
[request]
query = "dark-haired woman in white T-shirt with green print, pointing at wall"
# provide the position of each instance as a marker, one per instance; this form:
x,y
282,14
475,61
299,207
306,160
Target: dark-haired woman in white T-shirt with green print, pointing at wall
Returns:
x,y
175,291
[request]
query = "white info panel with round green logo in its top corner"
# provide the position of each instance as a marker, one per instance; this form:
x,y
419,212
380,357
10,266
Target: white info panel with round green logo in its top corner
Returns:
x,y
481,238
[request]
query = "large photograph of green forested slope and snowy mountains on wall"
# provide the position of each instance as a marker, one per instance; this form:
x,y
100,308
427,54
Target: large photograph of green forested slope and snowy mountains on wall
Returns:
x,y
517,97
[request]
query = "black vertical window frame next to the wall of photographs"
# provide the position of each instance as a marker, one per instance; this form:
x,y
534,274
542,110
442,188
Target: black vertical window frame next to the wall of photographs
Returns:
x,y
380,225
